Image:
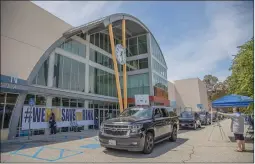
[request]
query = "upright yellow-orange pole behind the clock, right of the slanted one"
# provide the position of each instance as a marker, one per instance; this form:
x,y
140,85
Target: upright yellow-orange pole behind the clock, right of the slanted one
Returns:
x,y
124,66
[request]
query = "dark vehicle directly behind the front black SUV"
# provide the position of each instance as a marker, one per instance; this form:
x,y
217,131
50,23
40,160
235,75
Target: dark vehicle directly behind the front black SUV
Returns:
x,y
189,119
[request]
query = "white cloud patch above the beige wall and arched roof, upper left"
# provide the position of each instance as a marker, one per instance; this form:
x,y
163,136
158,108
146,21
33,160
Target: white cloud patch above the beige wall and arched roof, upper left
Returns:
x,y
79,12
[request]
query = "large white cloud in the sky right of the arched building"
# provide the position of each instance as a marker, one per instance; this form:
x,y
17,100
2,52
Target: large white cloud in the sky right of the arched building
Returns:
x,y
198,54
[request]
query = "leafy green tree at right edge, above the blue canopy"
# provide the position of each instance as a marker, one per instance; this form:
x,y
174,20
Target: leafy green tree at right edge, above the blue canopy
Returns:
x,y
242,78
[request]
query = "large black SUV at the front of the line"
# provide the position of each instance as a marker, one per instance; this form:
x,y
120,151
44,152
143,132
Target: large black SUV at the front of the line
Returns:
x,y
139,128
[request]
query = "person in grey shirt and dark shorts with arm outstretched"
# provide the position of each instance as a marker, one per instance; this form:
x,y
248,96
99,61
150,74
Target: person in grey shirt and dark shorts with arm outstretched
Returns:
x,y
237,127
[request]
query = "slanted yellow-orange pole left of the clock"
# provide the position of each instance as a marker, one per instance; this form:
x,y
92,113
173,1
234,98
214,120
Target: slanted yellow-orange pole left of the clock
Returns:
x,y
115,67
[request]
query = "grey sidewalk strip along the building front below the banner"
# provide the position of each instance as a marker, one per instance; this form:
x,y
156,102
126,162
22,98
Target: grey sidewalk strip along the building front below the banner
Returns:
x,y
63,136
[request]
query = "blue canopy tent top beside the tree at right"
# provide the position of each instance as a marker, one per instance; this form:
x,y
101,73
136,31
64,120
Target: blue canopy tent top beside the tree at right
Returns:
x,y
232,101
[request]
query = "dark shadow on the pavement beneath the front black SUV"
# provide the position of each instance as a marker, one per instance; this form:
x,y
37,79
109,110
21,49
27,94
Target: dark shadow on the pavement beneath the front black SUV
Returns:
x,y
159,149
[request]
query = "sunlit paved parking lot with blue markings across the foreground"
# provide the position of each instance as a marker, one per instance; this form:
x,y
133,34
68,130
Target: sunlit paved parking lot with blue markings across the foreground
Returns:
x,y
191,146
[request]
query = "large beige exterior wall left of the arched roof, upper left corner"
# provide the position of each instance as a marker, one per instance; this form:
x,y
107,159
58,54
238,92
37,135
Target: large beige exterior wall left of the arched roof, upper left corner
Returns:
x,y
26,32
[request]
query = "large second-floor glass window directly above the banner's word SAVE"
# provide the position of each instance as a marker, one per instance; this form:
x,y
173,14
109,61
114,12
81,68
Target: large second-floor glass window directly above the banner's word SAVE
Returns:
x,y
69,74
